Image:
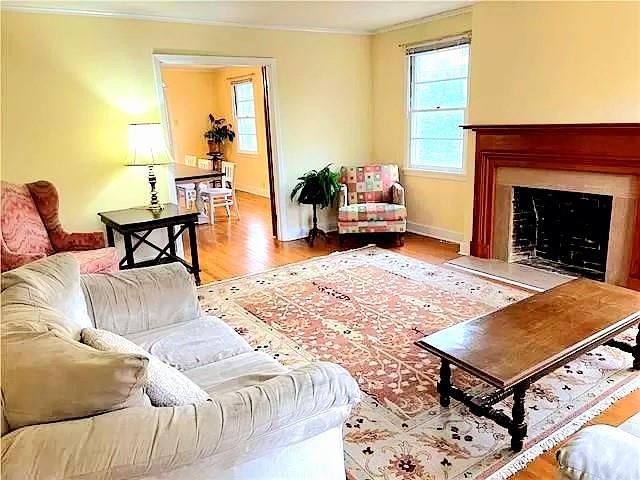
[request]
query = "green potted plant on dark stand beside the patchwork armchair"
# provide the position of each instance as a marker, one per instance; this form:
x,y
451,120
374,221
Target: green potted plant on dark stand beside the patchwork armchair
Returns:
x,y
317,188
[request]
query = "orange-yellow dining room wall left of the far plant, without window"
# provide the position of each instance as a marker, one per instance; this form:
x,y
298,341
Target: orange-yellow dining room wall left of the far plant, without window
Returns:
x,y
190,97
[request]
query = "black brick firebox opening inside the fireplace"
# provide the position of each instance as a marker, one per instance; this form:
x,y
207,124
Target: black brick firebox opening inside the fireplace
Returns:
x,y
560,231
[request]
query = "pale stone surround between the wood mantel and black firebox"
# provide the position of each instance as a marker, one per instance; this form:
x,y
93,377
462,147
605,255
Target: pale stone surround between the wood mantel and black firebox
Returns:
x,y
624,189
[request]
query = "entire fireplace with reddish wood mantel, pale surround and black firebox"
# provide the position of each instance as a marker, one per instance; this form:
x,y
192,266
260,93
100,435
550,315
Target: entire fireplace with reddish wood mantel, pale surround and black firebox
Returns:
x,y
583,168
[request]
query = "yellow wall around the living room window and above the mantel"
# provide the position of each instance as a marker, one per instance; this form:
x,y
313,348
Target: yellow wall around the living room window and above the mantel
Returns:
x,y
531,62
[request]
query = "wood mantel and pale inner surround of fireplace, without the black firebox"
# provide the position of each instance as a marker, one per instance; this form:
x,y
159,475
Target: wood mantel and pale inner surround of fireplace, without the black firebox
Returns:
x,y
591,158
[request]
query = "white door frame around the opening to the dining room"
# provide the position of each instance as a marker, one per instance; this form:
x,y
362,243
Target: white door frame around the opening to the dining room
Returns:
x,y
276,164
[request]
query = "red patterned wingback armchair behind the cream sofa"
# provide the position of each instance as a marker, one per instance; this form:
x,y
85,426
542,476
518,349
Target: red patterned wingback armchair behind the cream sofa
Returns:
x,y
30,229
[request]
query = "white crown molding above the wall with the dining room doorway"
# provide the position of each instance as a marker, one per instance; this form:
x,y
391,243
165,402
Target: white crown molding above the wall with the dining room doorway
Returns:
x,y
13,7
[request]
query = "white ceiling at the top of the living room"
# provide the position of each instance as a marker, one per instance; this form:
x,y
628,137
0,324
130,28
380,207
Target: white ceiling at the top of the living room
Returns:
x,y
335,16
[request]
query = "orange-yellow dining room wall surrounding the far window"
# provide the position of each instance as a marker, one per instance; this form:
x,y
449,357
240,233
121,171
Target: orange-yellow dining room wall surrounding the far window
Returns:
x,y
252,173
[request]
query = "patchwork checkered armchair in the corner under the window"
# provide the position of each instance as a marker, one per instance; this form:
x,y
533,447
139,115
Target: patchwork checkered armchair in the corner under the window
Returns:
x,y
371,199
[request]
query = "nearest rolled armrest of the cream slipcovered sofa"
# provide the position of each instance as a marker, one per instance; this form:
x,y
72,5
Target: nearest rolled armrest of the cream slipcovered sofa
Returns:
x,y
238,425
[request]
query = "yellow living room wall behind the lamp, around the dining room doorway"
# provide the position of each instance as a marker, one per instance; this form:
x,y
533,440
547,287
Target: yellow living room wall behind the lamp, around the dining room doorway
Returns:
x,y
73,83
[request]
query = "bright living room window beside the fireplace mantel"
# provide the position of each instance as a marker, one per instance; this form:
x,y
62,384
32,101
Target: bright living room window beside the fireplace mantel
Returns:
x,y
437,106
